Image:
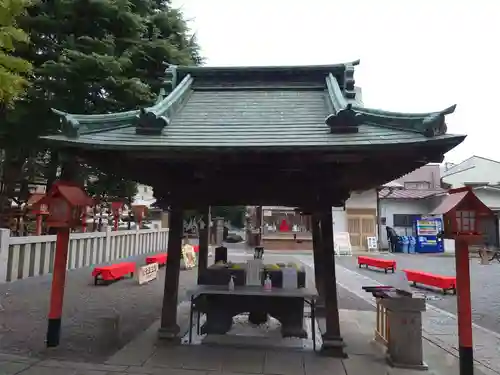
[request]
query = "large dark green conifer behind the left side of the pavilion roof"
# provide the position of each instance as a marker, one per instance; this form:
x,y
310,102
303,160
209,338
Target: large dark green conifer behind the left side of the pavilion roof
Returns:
x,y
113,61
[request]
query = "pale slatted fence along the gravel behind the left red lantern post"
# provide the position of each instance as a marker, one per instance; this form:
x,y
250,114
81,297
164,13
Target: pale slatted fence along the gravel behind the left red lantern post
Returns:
x,y
22,257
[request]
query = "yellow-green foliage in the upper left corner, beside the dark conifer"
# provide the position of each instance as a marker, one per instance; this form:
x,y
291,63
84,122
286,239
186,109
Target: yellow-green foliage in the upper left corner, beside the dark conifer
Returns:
x,y
13,70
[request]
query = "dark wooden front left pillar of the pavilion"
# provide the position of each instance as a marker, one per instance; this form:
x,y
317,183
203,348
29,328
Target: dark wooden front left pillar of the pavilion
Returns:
x,y
169,329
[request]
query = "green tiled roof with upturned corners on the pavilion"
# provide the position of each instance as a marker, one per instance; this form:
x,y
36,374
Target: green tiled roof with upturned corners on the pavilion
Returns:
x,y
254,107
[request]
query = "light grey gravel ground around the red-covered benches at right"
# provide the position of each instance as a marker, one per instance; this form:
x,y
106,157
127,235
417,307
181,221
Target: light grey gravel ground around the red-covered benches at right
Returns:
x,y
485,284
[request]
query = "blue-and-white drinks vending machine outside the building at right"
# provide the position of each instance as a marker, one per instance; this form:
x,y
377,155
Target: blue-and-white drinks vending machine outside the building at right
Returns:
x,y
427,231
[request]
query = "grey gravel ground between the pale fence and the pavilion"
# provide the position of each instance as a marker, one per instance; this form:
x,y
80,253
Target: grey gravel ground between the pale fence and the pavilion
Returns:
x,y
26,302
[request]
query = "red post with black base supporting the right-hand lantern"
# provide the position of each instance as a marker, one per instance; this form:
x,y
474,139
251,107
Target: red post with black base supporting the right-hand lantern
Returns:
x,y
465,348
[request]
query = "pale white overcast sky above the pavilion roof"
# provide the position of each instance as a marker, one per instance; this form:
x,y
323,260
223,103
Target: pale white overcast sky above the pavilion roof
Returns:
x,y
416,55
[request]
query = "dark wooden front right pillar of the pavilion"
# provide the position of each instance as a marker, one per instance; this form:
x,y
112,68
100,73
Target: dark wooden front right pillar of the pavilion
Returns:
x,y
333,344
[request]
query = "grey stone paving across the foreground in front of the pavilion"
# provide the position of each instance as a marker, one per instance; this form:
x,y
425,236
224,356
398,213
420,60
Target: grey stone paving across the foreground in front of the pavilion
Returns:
x,y
364,357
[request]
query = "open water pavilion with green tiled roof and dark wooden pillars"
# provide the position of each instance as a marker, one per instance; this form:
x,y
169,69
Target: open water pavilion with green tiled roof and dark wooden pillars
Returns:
x,y
294,136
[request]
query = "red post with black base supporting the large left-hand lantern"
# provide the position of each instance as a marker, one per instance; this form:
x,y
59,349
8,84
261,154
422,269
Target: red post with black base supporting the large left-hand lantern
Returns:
x,y
57,291
